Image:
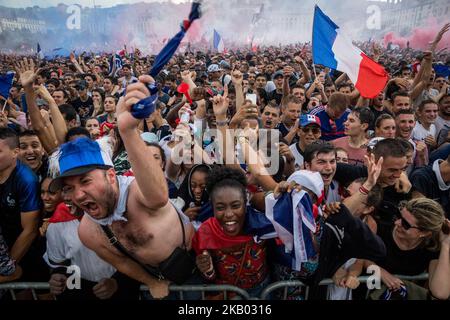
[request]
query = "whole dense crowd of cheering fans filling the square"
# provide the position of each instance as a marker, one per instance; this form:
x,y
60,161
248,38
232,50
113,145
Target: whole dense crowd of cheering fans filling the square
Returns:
x,y
178,198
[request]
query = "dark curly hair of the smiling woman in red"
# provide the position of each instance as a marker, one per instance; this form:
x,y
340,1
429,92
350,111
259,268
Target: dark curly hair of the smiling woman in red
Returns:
x,y
223,177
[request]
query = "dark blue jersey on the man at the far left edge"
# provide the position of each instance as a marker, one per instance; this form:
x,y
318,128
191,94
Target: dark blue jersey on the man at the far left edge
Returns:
x,y
19,193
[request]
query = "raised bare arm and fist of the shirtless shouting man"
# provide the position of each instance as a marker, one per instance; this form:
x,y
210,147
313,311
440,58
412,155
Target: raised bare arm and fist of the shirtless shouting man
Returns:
x,y
153,191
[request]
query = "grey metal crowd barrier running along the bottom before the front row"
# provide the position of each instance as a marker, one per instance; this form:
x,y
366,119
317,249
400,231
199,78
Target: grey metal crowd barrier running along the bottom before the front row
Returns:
x,y
203,289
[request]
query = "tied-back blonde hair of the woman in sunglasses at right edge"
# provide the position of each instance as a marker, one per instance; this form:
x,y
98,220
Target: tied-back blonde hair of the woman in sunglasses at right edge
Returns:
x,y
430,217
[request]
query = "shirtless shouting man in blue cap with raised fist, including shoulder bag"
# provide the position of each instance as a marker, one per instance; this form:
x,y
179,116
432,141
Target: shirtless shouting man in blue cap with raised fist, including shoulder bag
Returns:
x,y
129,222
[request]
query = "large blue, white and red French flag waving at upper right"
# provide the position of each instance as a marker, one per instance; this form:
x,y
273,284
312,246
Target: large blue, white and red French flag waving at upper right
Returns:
x,y
333,49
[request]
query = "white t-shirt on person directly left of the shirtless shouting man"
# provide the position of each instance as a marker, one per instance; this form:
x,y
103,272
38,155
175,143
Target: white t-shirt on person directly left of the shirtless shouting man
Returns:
x,y
63,244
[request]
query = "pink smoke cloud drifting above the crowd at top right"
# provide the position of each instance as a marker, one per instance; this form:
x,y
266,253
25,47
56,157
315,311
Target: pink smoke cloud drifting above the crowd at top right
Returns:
x,y
420,37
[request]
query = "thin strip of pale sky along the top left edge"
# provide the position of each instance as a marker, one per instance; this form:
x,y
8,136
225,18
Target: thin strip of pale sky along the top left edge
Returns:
x,y
89,3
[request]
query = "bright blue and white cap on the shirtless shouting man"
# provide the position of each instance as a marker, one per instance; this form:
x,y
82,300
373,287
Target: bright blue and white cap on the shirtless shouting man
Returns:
x,y
77,157
